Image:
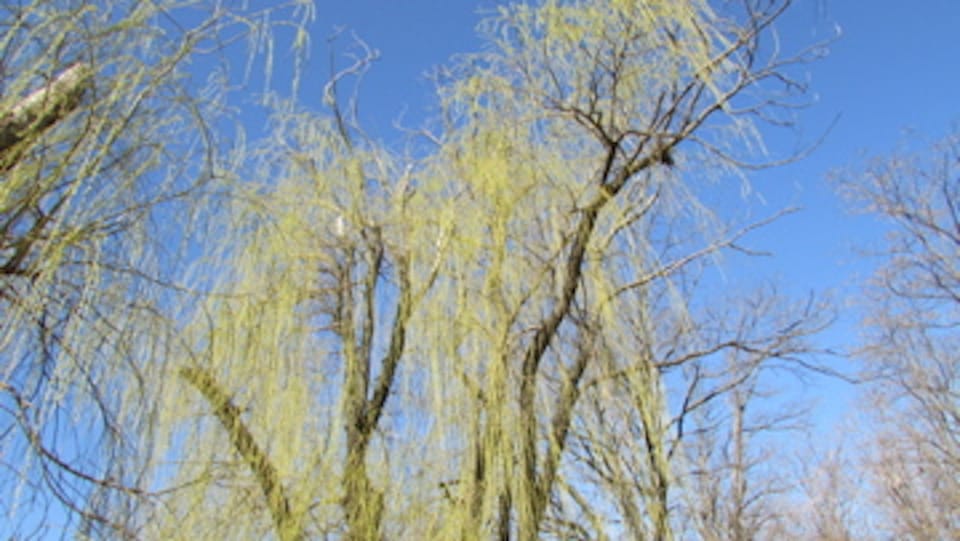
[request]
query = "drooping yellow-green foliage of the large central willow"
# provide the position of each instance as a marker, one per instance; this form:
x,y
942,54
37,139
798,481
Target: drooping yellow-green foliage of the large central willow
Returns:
x,y
570,95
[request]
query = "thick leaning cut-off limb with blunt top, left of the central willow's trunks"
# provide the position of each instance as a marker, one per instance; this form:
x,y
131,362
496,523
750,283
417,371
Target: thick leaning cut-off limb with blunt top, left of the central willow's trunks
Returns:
x,y
246,446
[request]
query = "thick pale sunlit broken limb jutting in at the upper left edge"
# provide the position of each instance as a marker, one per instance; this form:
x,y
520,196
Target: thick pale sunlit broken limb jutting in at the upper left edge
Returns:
x,y
40,110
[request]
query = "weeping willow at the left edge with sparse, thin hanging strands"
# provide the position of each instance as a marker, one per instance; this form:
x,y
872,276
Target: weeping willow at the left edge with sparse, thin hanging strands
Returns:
x,y
107,161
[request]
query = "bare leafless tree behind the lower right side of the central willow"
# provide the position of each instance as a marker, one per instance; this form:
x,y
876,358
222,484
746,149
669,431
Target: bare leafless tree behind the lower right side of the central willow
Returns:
x,y
702,457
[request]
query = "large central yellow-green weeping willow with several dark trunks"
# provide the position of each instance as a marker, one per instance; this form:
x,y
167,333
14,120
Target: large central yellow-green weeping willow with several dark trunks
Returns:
x,y
496,332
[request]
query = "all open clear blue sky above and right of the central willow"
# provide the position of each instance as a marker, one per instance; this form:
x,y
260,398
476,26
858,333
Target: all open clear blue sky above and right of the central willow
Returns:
x,y
890,77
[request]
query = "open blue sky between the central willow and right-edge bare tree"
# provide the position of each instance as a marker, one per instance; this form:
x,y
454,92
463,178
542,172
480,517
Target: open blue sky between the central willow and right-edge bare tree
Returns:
x,y
891,81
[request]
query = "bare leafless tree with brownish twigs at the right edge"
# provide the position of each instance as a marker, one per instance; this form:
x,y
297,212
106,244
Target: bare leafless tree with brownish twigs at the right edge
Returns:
x,y
912,341
